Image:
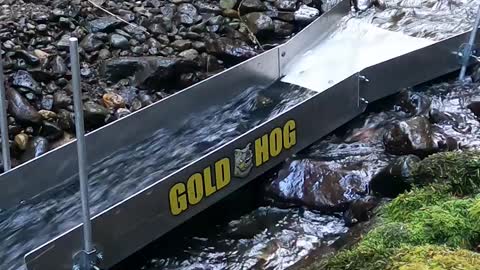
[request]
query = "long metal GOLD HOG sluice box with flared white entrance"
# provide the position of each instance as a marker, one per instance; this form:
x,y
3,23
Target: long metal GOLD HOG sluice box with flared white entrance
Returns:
x,y
341,69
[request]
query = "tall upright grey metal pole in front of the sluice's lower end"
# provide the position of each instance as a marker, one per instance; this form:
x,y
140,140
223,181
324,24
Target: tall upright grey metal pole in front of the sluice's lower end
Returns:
x,y
82,157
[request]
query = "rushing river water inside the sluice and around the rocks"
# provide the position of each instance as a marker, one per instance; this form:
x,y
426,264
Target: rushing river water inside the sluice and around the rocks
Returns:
x,y
280,237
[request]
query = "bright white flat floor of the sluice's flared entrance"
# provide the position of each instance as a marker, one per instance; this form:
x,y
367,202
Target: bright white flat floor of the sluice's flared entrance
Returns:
x,y
351,48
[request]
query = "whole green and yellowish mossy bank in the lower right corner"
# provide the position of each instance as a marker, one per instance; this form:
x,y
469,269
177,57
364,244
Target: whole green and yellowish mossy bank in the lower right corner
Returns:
x,y
435,225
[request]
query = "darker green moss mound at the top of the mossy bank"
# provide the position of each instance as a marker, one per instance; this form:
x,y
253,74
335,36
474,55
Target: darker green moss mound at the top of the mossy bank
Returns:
x,y
458,170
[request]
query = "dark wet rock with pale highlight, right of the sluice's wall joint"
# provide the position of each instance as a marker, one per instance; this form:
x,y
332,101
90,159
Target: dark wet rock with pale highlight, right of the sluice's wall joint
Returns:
x,y
413,136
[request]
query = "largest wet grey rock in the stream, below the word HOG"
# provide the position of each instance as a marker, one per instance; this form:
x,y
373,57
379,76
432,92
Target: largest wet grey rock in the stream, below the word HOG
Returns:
x,y
317,185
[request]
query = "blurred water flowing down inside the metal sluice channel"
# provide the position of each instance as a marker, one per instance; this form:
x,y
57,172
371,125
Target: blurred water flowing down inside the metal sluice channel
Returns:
x,y
134,167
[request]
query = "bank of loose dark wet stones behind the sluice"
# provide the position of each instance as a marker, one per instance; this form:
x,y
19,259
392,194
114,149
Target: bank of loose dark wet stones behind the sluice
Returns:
x,y
133,53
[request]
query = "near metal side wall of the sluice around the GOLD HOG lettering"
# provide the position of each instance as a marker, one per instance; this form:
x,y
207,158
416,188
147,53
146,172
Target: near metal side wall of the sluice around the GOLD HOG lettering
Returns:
x,y
145,216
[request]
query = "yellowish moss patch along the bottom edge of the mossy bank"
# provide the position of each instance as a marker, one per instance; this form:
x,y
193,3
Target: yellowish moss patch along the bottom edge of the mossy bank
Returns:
x,y
434,258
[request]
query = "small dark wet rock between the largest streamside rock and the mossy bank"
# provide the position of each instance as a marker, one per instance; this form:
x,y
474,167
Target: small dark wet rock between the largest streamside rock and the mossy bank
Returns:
x,y
360,210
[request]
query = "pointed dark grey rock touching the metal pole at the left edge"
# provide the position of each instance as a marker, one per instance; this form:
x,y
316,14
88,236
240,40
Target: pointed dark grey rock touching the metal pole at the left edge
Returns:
x,y
20,108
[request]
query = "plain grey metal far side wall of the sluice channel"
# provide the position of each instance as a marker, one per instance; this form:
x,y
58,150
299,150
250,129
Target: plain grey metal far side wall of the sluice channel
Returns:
x,y
53,168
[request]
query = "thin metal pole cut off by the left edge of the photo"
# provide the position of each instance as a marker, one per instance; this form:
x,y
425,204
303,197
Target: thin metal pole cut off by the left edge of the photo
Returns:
x,y
3,122
